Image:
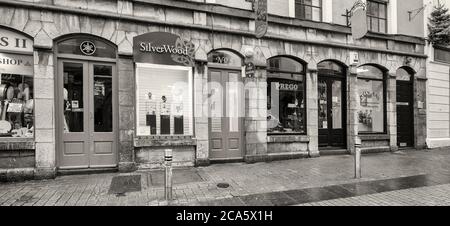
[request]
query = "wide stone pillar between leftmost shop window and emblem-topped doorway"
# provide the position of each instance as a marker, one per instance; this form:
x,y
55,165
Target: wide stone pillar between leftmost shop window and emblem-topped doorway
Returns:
x,y
45,125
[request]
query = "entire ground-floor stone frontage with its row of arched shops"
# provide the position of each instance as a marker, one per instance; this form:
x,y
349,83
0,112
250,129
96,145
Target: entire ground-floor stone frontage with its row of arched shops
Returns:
x,y
85,91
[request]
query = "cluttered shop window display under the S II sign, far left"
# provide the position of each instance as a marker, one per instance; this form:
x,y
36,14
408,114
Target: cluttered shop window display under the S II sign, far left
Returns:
x,y
16,96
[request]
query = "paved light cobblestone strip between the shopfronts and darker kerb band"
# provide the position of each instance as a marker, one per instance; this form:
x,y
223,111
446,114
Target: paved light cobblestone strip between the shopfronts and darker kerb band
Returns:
x,y
244,179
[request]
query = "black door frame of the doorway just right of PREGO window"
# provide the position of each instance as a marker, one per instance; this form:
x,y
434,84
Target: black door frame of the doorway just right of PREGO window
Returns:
x,y
345,109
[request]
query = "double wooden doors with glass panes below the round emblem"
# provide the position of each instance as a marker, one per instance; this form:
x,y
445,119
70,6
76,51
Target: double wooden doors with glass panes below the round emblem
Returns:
x,y
87,129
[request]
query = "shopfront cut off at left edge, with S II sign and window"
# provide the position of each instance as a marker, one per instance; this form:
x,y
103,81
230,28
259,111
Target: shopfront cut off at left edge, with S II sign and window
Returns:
x,y
16,100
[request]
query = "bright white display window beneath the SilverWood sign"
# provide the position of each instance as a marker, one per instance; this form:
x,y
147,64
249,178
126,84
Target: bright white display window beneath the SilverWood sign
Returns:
x,y
164,100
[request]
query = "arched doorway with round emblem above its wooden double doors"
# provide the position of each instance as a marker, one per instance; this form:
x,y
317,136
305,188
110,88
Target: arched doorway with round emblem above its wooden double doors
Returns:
x,y
87,104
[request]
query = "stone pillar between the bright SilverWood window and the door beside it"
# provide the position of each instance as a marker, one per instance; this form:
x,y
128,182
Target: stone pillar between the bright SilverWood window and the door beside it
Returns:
x,y
201,113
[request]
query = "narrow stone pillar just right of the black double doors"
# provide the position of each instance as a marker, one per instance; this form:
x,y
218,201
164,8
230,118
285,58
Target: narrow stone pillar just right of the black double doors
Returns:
x,y
352,106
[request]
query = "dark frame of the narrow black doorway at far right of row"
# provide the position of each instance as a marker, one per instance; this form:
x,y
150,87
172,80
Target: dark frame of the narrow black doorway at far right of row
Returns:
x,y
411,106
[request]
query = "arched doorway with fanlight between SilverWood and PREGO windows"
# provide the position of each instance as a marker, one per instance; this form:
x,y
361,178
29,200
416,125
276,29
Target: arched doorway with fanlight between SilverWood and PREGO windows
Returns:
x,y
226,106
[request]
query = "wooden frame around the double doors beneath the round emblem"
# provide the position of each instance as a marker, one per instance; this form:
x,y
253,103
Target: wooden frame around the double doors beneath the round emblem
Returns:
x,y
58,103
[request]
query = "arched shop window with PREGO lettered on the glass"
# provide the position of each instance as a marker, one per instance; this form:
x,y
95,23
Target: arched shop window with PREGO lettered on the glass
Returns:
x,y
286,97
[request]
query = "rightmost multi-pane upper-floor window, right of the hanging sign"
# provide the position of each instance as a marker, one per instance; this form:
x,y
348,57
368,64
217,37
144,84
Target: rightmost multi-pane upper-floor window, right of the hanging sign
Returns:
x,y
377,16
